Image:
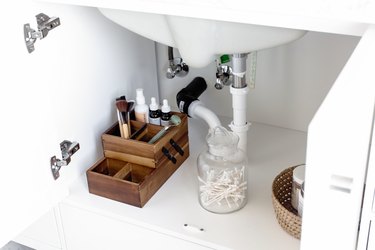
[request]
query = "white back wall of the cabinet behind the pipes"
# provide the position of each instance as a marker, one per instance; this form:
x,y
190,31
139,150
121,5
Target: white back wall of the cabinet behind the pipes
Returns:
x,y
291,80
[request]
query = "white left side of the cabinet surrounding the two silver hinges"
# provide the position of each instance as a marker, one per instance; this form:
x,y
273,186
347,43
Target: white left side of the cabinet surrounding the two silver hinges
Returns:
x,y
65,89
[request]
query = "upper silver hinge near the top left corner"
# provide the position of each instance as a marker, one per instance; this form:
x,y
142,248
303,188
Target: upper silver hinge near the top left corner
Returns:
x,y
45,24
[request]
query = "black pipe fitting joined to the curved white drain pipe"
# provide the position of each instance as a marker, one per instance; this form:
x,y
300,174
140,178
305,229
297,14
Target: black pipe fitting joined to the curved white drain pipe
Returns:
x,y
190,93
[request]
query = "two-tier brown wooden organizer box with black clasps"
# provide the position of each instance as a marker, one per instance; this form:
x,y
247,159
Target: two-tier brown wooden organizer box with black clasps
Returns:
x,y
132,170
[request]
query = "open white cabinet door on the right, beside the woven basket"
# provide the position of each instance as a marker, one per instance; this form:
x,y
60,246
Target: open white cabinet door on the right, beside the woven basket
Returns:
x,y
338,147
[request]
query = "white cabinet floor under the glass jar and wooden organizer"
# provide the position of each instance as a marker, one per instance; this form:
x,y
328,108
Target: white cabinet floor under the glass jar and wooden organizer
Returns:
x,y
271,149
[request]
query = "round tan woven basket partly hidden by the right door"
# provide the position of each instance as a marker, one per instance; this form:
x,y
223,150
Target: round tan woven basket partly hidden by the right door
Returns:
x,y
286,215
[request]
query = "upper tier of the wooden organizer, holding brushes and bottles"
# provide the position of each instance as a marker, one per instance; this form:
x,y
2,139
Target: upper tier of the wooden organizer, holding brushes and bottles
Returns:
x,y
139,151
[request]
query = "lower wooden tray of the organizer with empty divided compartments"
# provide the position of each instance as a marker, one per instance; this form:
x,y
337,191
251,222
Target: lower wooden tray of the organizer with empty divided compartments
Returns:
x,y
129,182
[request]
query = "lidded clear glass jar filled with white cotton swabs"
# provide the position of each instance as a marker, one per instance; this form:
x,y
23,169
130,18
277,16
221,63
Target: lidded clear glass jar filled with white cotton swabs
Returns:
x,y
222,173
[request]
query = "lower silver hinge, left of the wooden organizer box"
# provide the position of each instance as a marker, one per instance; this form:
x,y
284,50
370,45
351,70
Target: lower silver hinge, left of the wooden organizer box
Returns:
x,y
67,150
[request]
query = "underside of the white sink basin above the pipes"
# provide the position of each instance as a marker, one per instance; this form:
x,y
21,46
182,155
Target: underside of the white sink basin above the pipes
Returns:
x,y
199,41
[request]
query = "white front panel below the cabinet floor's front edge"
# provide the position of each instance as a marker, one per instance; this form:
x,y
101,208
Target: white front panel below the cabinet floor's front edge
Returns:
x,y
88,230
